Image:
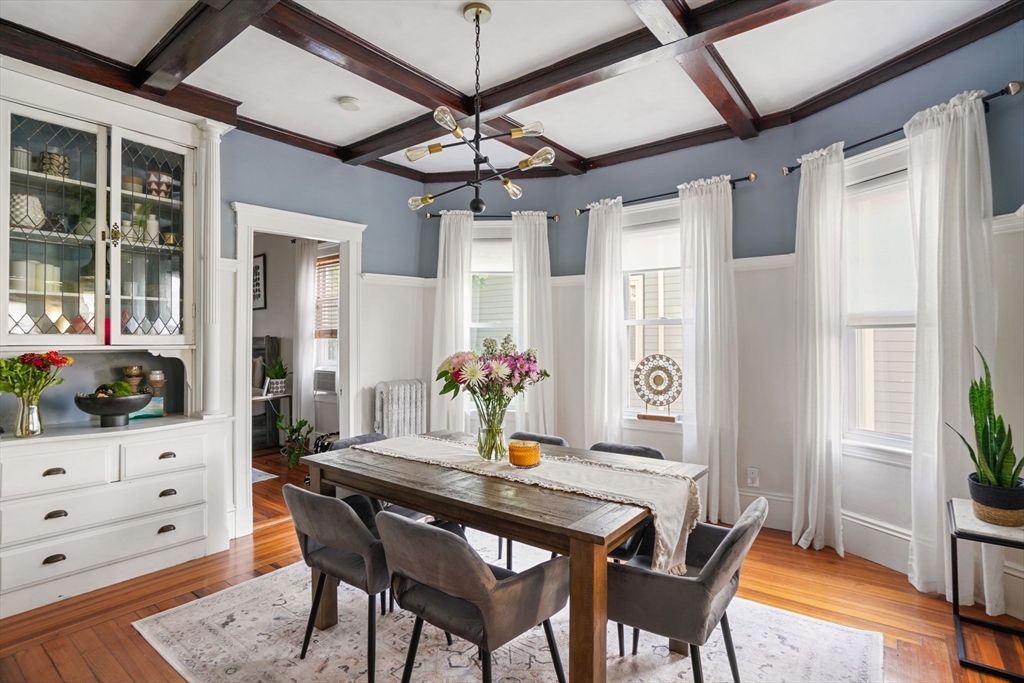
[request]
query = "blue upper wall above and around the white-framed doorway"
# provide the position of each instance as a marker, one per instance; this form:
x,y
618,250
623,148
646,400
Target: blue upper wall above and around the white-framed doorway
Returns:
x,y
260,172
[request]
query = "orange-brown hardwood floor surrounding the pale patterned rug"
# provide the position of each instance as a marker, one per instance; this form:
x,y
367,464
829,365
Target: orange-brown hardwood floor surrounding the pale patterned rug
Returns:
x,y
91,637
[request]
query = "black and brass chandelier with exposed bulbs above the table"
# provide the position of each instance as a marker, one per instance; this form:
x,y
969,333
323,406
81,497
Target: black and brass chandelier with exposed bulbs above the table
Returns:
x,y
479,14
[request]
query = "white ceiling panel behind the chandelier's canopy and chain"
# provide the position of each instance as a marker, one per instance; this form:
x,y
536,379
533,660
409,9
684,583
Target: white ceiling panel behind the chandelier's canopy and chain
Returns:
x,y
523,35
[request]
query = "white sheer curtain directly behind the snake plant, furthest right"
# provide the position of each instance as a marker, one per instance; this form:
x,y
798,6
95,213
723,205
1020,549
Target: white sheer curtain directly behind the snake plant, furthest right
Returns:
x,y
952,206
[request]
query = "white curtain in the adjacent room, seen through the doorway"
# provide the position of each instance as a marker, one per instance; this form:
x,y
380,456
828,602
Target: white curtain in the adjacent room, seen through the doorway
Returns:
x,y
306,322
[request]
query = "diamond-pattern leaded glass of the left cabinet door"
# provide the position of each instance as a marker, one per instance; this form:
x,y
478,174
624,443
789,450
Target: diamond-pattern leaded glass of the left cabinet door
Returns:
x,y
53,269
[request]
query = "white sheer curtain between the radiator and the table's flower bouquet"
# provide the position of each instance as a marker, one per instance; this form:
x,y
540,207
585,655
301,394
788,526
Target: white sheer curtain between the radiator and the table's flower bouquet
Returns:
x,y
452,317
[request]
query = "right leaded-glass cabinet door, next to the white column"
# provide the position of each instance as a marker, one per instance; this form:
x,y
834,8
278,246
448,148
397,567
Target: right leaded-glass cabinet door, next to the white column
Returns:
x,y
152,186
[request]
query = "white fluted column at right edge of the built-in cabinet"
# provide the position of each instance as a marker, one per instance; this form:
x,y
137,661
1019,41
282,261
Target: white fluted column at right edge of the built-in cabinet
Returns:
x,y
214,402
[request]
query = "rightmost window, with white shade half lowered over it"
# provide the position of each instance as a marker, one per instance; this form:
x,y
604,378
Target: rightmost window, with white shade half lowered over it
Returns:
x,y
881,302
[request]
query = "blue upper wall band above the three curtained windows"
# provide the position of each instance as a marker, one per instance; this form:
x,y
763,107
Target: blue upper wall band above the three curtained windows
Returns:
x,y
765,212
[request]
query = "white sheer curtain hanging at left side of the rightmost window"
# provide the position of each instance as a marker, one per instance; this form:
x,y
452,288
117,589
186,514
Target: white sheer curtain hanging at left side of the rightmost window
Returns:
x,y
819,432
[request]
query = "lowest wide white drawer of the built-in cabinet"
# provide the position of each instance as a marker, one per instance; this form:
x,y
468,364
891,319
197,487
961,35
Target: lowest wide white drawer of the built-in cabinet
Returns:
x,y
51,560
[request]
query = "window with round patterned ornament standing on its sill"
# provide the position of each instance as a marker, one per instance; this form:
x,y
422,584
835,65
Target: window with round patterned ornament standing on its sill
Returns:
x,y
654,294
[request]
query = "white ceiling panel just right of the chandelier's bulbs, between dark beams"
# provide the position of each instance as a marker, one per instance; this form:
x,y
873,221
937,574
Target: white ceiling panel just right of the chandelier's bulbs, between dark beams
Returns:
x,y
641,107
